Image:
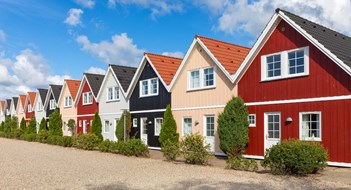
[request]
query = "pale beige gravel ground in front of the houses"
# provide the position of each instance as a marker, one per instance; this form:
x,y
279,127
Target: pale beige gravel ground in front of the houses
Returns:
x,y
25,165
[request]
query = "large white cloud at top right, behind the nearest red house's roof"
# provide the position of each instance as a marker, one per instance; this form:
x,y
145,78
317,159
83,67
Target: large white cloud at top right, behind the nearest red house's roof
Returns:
x,y
251,17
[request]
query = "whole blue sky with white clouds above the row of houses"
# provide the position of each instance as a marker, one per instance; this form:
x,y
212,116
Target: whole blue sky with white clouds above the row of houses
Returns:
x,y
45,41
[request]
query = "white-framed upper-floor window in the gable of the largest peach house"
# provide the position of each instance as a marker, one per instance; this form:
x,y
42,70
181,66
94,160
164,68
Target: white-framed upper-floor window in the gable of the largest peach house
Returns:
x,y
201,78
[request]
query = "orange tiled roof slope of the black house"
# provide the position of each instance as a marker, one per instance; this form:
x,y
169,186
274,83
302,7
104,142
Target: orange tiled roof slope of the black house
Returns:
x,y
166,66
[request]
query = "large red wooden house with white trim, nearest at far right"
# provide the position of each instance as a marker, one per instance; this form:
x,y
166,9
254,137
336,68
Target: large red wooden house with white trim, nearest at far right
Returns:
x,y
296,83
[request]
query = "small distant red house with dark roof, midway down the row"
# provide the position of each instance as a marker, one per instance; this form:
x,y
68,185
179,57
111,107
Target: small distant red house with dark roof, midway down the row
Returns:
x,y
86,101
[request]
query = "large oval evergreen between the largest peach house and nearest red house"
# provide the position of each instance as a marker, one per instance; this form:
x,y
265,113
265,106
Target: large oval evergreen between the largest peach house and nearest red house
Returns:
x,y
233,127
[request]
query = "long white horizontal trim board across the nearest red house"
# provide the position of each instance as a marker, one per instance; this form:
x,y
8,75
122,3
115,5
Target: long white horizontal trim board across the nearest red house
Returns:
x,y
303,100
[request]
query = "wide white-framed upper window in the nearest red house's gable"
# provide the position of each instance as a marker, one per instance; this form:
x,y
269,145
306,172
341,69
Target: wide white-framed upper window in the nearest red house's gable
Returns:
x,y
285,64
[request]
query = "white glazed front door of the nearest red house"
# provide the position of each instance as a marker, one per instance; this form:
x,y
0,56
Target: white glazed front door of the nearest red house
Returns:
x,y
272,125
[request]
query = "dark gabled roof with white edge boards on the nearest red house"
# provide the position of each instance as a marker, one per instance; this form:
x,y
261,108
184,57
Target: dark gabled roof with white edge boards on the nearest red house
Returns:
x,y
333,44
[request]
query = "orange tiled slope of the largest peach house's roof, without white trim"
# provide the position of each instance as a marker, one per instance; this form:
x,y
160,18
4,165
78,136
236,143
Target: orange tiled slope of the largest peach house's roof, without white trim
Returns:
x,y
229,55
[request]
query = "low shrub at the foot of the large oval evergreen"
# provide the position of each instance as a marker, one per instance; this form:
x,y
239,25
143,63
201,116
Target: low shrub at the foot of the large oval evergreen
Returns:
x,y
241,163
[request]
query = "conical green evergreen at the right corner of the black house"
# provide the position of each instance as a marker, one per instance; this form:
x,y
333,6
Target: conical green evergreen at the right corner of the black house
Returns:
x,y
169,128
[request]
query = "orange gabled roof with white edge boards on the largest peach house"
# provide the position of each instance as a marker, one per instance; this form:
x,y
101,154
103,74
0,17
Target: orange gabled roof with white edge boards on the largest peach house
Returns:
x,y
228,57
